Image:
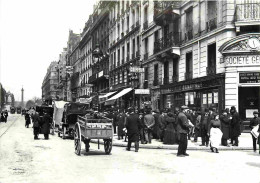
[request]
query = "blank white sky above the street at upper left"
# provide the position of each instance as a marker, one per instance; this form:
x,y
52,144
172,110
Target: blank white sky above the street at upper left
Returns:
x,y
32,34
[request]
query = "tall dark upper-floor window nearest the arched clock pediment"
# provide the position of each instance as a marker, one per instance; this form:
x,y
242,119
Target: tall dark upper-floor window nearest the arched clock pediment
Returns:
x,y
211,69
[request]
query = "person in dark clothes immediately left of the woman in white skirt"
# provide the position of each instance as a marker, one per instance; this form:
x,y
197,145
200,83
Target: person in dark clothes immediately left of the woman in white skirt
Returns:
x,y
204,128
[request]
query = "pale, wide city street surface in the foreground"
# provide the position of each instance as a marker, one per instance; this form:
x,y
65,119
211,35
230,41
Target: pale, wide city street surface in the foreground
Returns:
x,y
23,159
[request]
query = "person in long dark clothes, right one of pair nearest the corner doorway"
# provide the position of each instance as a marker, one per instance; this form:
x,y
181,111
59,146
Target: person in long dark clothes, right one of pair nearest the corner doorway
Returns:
x,y
235,125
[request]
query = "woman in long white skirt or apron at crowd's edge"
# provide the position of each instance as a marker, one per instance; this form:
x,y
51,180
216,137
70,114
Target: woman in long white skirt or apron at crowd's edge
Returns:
x,y
215,134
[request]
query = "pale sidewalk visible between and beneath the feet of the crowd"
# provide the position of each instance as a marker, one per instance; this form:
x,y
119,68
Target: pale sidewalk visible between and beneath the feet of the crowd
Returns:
x,y
245,143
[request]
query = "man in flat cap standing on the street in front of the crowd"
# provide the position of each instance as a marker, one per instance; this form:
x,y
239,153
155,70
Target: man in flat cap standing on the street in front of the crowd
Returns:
x,y
183,130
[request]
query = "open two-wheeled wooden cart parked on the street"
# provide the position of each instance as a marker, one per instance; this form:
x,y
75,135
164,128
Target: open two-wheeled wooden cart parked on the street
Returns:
x,y
87,128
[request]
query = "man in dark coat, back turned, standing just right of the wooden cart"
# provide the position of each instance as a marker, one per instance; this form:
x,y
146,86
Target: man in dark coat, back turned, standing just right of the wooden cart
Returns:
x,y
133,125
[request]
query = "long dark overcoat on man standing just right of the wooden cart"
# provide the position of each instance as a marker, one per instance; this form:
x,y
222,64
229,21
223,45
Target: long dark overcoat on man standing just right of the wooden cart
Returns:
x,y
133,125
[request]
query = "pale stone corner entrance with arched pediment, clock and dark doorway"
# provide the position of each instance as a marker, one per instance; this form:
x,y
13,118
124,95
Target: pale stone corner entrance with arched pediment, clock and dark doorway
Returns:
x,y
242,80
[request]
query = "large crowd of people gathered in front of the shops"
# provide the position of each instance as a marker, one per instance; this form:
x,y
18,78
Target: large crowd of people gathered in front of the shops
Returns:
x,y
179,126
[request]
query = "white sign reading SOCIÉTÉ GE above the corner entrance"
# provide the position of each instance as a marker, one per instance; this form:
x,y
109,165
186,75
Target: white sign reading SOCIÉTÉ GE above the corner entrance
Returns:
x,y
242,60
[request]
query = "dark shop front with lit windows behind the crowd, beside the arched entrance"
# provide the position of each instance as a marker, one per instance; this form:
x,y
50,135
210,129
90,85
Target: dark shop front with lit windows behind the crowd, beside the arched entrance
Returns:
x,y
198,94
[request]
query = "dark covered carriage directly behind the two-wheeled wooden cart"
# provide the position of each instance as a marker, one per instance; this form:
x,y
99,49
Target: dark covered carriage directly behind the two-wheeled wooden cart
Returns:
x,y
71,111
